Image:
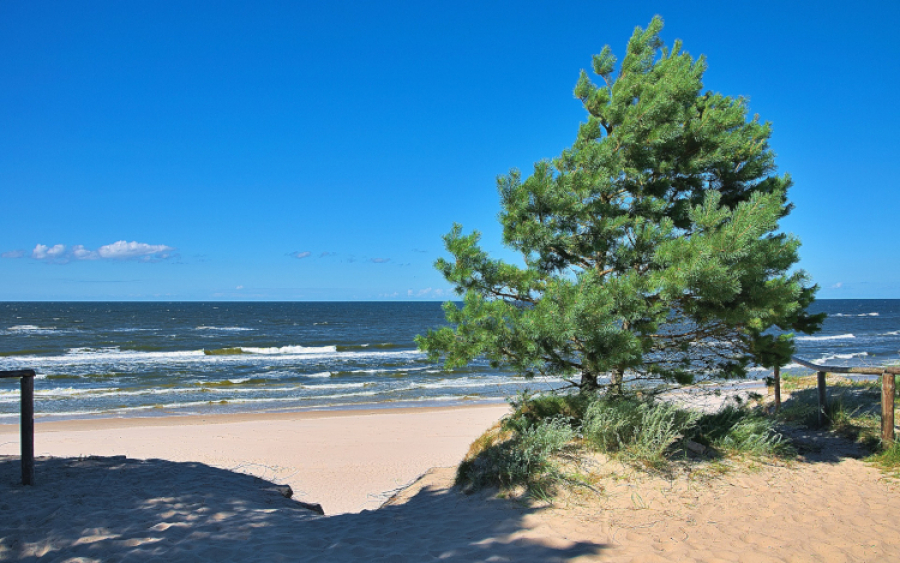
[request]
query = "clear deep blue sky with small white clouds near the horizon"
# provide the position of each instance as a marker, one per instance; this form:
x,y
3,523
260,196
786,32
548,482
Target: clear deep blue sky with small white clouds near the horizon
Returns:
x,y
319,151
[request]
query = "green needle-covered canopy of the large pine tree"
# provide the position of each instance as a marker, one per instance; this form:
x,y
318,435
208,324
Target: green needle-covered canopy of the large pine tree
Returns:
x,y
651,248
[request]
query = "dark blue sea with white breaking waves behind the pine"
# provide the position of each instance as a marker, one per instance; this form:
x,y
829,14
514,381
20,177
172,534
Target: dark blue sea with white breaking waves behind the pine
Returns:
x,y
122,359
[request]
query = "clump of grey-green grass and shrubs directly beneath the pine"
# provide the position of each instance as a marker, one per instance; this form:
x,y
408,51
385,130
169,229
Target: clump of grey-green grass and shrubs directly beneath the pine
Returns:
x,y
526,448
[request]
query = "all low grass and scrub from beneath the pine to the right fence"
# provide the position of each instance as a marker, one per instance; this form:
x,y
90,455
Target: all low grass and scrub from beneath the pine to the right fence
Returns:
x,y
534,446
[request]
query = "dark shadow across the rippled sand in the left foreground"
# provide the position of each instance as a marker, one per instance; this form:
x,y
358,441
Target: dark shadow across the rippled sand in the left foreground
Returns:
x,y
117,509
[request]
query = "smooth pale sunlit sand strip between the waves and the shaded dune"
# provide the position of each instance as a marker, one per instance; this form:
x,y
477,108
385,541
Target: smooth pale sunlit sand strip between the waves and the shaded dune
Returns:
x,y
346,461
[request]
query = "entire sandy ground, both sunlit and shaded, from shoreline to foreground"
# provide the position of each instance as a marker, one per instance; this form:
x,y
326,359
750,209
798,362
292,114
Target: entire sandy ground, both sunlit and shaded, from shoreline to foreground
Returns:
x,y
204,489
